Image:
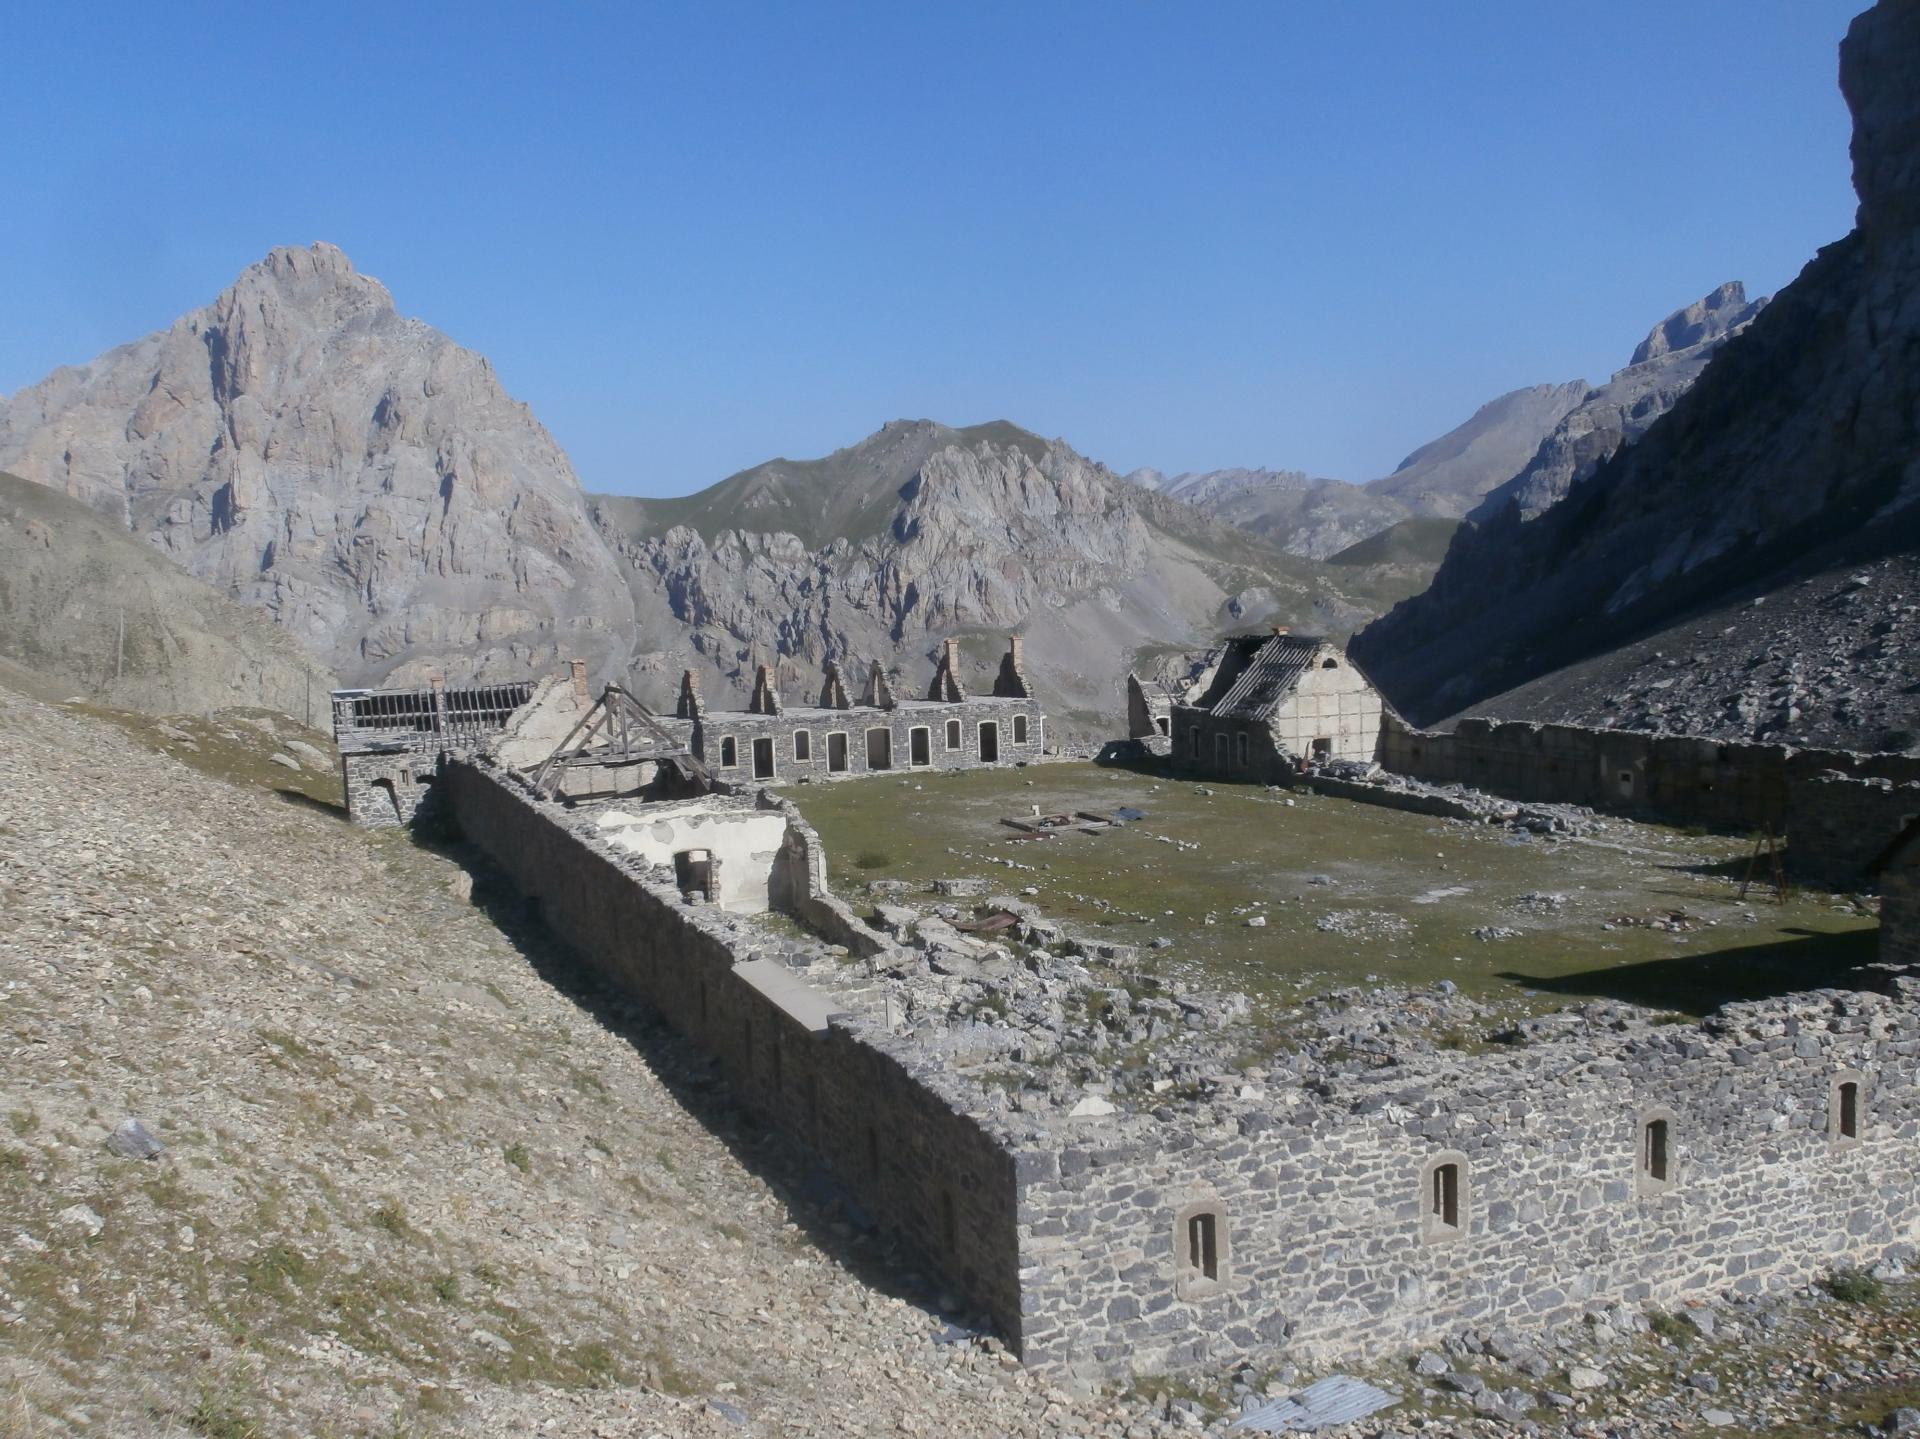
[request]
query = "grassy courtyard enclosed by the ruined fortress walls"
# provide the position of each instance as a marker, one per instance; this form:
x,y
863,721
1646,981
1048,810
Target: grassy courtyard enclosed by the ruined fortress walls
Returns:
x,y
1353,894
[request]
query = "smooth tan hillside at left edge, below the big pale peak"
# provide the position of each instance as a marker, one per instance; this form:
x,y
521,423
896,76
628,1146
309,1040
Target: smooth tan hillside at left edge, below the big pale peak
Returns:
x,y
89,610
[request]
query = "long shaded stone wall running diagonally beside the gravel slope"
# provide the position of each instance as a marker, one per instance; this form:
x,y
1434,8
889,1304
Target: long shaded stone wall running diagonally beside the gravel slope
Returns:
x,y
892,1127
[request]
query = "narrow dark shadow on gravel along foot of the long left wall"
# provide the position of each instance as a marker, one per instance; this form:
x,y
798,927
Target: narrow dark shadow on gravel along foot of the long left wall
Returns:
x,y
830,1219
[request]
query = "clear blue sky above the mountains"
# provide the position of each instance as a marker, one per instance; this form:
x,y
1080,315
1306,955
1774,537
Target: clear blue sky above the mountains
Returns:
x,y
702,235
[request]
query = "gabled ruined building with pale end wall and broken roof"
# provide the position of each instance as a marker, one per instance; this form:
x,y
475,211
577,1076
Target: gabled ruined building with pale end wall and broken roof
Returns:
x,y
1270,702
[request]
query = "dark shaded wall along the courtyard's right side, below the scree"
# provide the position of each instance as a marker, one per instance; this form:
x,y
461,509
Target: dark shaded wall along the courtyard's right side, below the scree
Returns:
x,y
1673,777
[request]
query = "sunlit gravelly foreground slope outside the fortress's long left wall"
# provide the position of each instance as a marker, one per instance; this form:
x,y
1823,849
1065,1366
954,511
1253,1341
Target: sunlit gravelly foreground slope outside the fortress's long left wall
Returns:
x,y
414,1177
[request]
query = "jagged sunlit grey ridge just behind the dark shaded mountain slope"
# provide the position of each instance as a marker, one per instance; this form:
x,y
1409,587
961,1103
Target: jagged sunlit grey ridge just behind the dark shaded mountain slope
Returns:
x,y
1621,410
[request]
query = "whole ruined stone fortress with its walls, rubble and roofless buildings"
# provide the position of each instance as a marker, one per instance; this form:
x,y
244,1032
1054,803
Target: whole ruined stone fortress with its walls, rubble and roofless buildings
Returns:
x,y
1347,1196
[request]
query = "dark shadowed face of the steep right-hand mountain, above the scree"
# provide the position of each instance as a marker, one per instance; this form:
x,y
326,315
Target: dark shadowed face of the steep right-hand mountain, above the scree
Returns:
x,y
1794,454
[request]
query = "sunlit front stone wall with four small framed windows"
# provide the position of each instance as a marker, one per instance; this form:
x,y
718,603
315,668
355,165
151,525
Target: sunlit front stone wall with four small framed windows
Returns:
x,y
1326,1240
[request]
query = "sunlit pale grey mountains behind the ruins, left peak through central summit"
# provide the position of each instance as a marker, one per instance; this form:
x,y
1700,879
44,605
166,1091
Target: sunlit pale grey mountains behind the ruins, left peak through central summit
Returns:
x,y
310,452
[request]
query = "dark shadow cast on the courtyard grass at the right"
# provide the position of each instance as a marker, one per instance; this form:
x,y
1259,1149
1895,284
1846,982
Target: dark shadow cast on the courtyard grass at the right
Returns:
x,y
1696,985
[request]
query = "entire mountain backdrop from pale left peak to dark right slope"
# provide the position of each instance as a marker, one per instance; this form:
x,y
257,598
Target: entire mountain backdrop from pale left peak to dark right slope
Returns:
x,y
312,454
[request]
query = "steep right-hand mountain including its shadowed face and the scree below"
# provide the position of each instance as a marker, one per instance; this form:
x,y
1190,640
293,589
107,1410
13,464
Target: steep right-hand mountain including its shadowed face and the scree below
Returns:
x,y
1746,564
